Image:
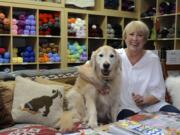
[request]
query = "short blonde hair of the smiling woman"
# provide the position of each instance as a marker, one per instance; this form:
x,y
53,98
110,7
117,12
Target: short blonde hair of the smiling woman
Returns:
x,y
136,26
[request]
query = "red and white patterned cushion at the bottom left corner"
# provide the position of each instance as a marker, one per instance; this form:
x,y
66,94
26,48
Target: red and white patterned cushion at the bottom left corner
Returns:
x,y
29,129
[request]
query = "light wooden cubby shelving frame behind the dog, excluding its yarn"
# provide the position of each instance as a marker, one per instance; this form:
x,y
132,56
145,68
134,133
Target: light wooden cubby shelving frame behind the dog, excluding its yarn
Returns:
x,y
98,15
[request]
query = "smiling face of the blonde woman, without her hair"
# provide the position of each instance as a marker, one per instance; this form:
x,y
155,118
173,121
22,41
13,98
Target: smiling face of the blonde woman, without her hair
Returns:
x,y
135,41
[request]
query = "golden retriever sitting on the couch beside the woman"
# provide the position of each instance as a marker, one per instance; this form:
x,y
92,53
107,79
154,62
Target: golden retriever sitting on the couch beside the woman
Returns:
x,y
85,103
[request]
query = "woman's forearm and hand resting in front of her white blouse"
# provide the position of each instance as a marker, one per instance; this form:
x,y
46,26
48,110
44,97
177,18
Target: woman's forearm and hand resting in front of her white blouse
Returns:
x,y
144,100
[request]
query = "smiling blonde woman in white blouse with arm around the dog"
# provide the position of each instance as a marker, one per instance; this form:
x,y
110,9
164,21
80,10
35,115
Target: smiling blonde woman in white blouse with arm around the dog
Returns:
x,y
142,87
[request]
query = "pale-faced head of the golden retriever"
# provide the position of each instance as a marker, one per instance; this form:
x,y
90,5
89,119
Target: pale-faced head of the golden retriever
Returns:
x,y
105,61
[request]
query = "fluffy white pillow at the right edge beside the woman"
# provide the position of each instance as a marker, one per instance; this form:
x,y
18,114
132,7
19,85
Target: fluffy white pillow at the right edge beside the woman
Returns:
x,y
173,87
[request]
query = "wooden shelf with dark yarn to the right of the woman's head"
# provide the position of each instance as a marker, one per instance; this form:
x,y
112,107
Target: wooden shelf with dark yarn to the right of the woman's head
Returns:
x,y
166,24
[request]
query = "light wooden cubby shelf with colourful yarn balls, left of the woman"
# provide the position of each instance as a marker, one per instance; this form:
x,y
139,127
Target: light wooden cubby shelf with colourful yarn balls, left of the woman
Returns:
x,y
44,44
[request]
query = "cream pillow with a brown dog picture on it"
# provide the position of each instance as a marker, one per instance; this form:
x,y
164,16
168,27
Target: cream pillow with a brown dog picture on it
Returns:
x,y
37,103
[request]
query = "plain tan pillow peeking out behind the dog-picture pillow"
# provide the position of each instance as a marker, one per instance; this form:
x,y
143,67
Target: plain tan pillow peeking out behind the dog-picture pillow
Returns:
x,y
46,81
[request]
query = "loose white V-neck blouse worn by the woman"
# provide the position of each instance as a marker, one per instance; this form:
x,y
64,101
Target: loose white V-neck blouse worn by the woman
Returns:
x,y
143,78
